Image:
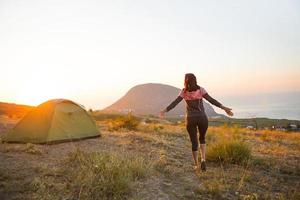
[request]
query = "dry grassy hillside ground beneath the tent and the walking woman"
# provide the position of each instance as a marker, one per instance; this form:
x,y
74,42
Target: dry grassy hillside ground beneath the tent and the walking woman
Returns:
x,y
151,160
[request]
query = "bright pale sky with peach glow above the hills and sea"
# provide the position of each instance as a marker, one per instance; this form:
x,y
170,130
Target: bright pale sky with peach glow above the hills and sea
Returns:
x,y
92,52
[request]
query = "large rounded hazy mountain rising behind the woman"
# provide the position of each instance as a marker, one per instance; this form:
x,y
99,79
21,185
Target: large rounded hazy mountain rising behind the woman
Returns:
x,y
151,98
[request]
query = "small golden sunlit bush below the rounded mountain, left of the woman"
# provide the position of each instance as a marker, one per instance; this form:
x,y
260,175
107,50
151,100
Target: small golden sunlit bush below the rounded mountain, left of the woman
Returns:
x,y
129,122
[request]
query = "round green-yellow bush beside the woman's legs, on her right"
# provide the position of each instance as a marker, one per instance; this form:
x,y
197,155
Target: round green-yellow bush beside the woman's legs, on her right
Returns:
x,y
233,151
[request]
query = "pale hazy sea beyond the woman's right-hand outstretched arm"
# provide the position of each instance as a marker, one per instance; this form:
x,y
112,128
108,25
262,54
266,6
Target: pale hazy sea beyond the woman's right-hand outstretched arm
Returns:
x,y
281,105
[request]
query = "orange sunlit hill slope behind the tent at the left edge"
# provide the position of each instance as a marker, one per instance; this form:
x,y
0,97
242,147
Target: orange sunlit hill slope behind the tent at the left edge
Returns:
x,y
14,110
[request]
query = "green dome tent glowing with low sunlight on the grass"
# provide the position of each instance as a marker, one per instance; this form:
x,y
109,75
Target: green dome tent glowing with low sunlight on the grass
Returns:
x,y
53,121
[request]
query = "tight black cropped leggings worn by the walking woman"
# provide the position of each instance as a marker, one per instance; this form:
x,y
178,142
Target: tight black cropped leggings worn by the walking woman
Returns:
x,y
194,122
